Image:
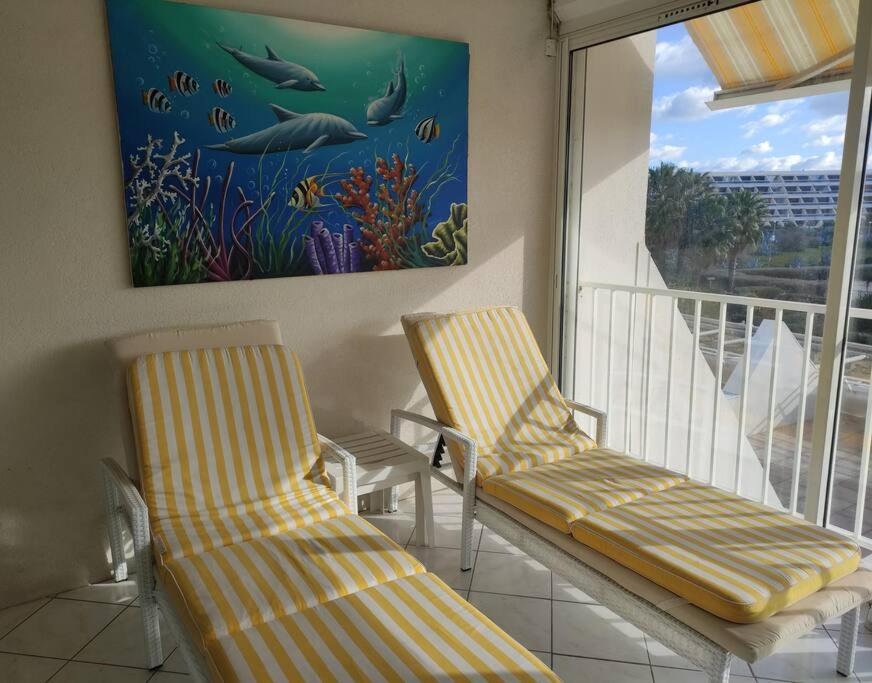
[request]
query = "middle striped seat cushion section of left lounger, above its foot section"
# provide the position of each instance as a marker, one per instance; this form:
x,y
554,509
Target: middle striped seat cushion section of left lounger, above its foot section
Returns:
x,y
242,585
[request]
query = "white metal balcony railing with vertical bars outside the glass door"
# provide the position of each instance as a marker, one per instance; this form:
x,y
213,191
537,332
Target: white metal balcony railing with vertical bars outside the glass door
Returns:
x,y
692,383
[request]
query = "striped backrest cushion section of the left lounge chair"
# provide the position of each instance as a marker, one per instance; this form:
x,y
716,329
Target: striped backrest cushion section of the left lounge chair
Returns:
x,y
216,428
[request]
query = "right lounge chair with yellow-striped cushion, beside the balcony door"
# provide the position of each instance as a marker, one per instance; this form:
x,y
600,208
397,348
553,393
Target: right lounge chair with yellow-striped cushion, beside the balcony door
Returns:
x,y
706,573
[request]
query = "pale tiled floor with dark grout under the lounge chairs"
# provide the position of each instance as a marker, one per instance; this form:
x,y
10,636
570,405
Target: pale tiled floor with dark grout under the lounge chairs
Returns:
x,y
93,634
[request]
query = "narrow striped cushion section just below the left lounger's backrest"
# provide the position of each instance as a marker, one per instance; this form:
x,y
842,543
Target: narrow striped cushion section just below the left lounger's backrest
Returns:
x,y
207,529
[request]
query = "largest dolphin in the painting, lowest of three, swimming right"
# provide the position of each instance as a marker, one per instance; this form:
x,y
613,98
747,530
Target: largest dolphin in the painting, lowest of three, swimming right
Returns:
x,y
294,131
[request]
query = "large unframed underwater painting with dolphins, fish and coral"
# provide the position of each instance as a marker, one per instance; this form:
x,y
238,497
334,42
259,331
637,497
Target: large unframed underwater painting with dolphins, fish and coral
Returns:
x,y
258,147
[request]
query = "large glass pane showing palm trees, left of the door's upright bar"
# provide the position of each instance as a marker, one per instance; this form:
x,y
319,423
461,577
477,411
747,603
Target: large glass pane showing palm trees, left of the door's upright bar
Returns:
x,y
708,195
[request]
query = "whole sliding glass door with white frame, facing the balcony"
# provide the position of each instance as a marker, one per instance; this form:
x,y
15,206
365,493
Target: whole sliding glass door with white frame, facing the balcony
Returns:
x,y
715,254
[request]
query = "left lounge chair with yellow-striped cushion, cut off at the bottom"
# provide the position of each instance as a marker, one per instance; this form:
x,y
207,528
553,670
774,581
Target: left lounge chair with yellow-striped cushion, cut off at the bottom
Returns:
x,y
260,570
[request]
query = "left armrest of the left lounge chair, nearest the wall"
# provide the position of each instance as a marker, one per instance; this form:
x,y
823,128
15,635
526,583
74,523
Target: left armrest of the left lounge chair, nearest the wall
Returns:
x,y
127,507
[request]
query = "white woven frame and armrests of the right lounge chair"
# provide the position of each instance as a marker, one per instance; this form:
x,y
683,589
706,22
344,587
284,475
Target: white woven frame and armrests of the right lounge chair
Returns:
x,y
713,659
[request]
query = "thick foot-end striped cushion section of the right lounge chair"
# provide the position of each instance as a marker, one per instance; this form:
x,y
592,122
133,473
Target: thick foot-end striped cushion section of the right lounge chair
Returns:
x,y
736,559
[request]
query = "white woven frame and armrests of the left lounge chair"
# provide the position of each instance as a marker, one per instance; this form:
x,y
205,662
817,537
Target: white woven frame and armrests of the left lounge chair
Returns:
x,y
125,509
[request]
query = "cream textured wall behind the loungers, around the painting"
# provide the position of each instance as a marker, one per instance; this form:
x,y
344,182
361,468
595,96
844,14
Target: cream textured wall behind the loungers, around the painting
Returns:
x,y
66,286
